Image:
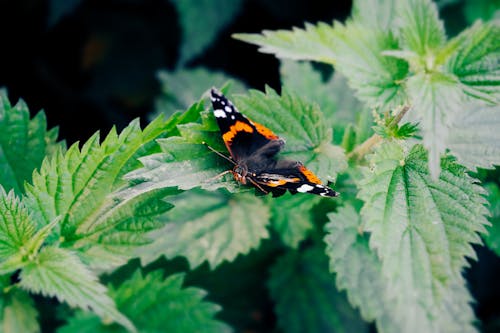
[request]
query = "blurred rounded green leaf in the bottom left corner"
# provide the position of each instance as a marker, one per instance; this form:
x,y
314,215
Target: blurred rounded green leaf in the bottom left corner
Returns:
x,y
17,310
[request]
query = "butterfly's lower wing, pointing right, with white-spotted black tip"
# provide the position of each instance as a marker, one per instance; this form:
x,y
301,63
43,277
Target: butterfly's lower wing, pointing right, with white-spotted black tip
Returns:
x,y
294,177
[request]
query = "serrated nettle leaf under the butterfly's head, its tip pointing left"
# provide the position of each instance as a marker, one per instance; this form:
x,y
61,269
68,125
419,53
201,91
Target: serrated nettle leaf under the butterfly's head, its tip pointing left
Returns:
x,y
185,162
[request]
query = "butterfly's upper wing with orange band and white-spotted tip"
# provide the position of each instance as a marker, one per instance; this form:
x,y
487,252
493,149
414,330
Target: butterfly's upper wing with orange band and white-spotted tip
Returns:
x,y
243,137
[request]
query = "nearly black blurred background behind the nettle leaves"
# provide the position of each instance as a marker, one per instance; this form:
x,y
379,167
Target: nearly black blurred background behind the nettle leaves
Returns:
x,y
92,64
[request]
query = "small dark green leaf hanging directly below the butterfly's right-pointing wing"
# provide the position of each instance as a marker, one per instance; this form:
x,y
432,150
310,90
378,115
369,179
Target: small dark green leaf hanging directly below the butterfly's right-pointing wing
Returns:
x,y
292,217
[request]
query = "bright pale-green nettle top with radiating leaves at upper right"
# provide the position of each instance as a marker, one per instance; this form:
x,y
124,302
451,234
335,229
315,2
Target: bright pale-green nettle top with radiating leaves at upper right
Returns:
x,y
393,62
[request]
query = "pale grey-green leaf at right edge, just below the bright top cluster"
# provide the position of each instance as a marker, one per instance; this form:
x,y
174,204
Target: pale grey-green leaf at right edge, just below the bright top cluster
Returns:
x,y
474,136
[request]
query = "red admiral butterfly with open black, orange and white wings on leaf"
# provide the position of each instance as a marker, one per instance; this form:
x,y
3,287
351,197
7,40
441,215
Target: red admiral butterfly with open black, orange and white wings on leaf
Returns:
x,y
253,148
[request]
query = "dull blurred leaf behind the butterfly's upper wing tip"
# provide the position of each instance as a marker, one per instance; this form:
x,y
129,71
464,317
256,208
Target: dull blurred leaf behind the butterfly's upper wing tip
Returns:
x,y
182,88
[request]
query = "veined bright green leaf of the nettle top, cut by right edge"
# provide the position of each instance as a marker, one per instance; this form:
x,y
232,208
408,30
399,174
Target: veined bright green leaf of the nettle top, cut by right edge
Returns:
x,y
475,60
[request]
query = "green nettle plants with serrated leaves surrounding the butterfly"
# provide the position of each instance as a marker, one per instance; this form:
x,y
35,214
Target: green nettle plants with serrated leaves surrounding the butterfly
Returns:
x,y
401,127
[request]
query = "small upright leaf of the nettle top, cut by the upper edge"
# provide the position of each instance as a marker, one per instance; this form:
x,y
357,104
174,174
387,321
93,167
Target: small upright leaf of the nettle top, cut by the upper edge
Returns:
x,y
420,28
